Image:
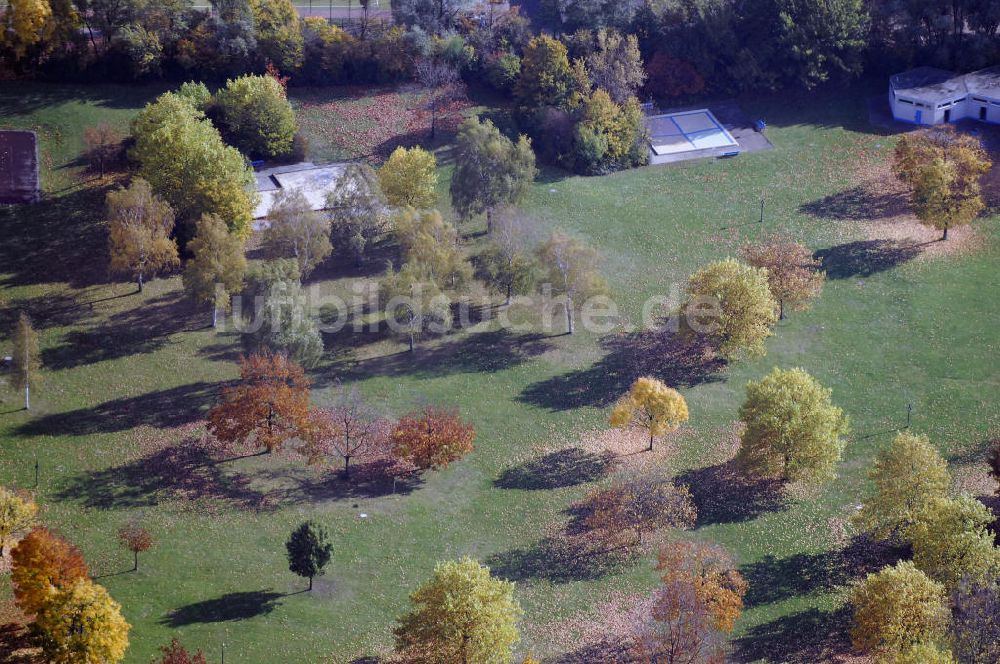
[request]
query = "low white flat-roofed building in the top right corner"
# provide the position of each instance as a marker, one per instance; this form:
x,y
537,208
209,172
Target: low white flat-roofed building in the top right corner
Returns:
x,y
930,96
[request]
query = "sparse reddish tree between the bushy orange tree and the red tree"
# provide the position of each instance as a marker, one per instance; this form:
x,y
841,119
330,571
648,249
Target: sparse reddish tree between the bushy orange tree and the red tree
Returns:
x,y
349,427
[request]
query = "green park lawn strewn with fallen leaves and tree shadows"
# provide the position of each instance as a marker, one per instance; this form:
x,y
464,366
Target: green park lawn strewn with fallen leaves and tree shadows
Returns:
x,y
128,379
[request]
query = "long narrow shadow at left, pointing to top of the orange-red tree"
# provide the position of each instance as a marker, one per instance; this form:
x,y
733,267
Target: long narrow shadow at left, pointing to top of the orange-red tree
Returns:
x,y
161,409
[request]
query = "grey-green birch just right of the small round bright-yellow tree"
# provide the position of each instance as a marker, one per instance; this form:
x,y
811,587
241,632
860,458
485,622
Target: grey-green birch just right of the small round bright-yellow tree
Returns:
x,y
491,171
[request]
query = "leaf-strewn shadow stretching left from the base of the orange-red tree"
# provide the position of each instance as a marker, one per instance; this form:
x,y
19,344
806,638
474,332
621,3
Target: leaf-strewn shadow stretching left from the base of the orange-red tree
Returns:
x,y
186,471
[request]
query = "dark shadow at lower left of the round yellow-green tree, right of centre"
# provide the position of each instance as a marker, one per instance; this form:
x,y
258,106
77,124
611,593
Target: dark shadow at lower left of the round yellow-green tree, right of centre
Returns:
x,y
724,494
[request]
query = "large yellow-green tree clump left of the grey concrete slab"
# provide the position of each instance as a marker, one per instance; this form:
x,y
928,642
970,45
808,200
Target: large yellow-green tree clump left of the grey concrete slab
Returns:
x,y
183,157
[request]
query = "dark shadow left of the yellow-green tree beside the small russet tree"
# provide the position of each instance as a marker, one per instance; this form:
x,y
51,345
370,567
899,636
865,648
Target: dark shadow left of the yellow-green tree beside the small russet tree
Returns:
x,y
678,360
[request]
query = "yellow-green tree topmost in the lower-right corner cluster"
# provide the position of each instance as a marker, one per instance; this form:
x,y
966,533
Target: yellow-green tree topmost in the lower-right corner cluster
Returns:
x,y
908,476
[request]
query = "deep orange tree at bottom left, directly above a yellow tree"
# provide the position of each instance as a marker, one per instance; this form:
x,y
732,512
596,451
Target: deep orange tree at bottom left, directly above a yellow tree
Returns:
x,y
43,564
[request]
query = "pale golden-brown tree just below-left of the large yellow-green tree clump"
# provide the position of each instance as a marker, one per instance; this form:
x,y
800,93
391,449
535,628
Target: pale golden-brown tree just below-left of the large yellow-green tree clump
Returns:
x,y
140,224
